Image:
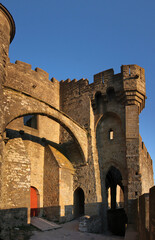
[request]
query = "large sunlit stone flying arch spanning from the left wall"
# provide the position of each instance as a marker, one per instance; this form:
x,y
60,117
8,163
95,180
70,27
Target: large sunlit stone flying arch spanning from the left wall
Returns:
x,y
21,105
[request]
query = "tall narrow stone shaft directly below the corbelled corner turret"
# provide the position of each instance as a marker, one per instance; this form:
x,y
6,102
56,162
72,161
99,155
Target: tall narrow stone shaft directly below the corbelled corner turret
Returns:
x,y
132,151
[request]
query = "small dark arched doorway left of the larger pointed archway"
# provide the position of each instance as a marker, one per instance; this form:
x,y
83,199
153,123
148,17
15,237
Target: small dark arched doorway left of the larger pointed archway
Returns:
x,y
78,202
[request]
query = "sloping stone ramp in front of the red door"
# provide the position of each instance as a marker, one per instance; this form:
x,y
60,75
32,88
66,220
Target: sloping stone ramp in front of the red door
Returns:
x,y
43,224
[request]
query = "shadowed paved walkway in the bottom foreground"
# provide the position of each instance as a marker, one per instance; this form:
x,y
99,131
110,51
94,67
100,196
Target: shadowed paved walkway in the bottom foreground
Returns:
x,y
69,231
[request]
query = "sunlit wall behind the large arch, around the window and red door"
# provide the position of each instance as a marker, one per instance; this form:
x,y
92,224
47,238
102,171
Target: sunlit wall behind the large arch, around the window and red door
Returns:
x,y
35,146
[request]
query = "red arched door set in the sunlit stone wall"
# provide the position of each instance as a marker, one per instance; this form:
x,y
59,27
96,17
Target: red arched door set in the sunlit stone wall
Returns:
x,y
34,202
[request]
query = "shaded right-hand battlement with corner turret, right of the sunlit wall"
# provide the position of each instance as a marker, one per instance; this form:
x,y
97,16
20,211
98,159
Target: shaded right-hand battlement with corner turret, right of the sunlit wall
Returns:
x,y
128,85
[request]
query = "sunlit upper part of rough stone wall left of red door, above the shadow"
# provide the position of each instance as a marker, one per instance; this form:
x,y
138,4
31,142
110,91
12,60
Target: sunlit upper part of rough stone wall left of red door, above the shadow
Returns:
x,y
16,173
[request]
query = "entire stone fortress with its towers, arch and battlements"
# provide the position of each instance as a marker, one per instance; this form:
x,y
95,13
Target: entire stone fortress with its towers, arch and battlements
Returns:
x,y
85,140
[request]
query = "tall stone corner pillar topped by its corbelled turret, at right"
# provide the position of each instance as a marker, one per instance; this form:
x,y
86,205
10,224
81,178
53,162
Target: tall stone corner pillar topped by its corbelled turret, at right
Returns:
x,y
134,91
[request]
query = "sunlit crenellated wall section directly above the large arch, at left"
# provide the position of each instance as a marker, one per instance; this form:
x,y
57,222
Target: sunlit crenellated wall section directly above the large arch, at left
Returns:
x,y
35,83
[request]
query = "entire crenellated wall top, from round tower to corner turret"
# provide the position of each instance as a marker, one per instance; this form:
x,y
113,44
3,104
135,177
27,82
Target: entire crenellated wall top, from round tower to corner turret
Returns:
x,y
128,85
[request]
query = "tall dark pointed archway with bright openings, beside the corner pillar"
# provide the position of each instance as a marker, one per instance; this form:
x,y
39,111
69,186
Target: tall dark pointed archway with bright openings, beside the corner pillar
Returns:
x,y
117,218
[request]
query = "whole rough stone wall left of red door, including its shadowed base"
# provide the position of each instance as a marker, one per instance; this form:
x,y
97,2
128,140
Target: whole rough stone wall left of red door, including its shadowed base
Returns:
x,y
15,191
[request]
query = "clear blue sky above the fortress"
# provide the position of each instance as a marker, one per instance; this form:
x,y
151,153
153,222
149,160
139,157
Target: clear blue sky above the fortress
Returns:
x,y
77,39
